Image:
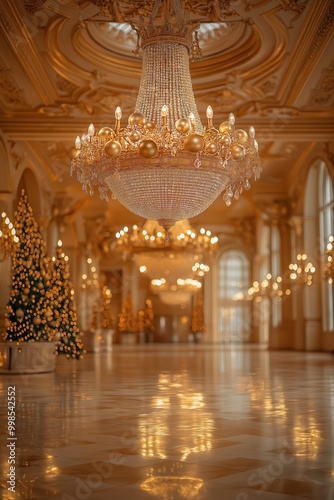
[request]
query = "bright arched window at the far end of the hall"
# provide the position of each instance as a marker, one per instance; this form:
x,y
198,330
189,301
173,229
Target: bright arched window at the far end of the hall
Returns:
x,y
234,314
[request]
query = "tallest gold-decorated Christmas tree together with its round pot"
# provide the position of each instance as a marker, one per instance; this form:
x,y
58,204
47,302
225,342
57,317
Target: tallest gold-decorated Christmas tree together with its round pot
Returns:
x,y
29,345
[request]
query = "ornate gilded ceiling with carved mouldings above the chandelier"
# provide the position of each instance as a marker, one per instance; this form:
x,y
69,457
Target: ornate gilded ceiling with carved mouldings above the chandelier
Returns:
x,y
64,64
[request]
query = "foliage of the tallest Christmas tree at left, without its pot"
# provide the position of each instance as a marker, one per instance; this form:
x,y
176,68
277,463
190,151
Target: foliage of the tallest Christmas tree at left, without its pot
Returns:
x,y
29,315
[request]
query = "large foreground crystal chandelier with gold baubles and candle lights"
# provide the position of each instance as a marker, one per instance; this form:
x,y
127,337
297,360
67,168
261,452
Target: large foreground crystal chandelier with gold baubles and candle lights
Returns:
x,y
163,165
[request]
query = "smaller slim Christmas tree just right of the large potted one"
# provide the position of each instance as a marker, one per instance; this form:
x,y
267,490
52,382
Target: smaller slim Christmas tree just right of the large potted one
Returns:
x,y
70,342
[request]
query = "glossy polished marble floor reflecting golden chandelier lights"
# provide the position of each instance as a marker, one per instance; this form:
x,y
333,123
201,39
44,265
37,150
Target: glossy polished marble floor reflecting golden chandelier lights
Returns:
x,y
174,422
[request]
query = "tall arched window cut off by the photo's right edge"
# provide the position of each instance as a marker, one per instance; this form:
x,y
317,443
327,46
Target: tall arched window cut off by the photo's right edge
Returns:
x,y
326,227
